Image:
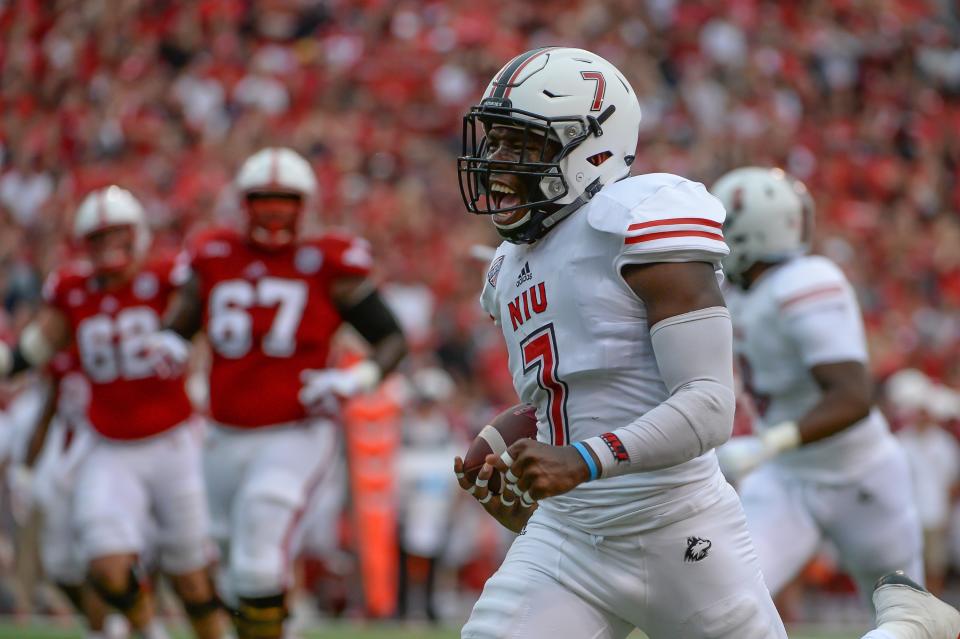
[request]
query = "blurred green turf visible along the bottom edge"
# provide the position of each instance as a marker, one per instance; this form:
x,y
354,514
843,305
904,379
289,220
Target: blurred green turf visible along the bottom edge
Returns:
x,y
33,631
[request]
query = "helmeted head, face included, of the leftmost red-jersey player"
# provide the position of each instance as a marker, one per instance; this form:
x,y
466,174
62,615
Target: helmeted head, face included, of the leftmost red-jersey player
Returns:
x,y
112,226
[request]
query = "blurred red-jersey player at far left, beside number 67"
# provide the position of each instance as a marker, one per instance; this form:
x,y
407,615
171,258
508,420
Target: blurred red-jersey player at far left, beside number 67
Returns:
x,y
145,464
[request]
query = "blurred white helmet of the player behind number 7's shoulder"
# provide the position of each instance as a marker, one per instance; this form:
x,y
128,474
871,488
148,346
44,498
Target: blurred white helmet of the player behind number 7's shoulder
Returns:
x,y
769,217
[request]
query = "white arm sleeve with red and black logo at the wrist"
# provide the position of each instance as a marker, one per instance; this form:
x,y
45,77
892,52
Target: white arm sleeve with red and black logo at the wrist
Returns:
x,y
695,354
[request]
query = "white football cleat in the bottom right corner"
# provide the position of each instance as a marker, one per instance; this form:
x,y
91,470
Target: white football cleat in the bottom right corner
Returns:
x,y
905,609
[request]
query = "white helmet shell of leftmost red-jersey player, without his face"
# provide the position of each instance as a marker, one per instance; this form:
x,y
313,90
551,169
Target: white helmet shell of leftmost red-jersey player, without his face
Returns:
x,y
113,207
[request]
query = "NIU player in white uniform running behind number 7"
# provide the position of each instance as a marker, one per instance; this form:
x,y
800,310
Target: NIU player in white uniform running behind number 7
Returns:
x,y
824,463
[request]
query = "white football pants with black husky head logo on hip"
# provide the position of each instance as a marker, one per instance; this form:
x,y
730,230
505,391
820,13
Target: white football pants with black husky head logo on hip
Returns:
x,y
698,578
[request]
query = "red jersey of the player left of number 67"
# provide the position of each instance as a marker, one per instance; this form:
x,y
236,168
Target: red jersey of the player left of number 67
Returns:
x,y
110,327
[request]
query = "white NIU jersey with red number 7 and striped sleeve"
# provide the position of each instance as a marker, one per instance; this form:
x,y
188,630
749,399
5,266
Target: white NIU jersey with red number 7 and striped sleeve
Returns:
x,y
579,343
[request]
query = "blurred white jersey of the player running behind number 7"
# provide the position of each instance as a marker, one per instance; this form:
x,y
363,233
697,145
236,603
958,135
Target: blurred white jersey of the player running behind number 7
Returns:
x,y
800,314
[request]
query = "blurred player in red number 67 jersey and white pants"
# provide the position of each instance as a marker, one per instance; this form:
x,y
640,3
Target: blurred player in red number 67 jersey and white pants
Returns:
x,y
270,302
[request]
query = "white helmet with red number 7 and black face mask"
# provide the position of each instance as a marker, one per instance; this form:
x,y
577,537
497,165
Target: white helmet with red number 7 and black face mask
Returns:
x,y
582,104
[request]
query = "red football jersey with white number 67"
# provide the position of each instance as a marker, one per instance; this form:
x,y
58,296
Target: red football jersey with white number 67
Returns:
x,y
269,315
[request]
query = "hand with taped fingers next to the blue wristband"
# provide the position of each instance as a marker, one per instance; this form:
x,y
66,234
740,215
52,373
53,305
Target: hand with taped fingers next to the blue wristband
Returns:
x,y
540,470
